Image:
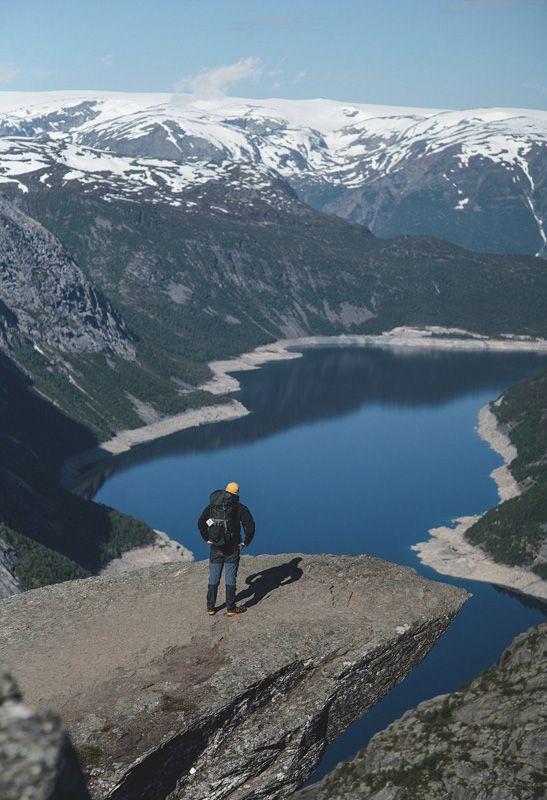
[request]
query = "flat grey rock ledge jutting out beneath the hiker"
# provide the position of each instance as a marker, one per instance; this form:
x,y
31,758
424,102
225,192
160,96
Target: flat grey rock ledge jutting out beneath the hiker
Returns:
x,y
171,703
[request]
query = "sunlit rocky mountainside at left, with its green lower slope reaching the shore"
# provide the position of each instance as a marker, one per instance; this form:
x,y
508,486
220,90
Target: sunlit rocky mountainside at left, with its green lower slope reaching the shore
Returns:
x,y
68,338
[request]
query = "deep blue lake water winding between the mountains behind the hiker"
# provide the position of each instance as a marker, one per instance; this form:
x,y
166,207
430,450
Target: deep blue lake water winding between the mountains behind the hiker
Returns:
x,y
350,450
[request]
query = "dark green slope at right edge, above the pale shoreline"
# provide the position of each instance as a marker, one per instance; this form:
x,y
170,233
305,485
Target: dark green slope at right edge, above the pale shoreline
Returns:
x,y
514,532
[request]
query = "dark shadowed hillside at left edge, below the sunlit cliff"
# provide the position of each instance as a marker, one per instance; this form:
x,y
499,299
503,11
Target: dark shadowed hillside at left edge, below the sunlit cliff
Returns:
x,y
56,535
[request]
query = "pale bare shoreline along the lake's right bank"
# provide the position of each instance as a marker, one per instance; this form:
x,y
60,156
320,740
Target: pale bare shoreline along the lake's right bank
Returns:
x,y
448,552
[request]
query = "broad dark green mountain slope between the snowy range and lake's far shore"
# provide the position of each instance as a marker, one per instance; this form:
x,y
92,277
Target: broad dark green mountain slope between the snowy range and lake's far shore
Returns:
x,y
193,286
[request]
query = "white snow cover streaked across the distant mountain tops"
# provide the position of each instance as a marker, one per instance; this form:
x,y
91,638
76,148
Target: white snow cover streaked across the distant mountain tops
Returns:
x,y
321,140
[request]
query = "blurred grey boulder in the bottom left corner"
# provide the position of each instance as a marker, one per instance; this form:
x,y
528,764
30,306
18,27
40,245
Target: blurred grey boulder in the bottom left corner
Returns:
x,y
37,760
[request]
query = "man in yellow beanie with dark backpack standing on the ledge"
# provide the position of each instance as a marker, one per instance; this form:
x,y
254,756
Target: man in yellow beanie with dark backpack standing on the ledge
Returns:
x,y
220,526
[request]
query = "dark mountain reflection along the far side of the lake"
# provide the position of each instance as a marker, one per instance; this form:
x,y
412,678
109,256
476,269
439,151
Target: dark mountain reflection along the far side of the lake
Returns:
x,y
330,382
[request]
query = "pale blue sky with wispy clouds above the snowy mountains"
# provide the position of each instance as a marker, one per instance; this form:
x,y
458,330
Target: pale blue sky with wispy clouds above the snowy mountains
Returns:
x,y
435,53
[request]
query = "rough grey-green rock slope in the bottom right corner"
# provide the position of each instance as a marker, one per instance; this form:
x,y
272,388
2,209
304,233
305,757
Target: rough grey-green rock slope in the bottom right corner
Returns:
x,y
488,741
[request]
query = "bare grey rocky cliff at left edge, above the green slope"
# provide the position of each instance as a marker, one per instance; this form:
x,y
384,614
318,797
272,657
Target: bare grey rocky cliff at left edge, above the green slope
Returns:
x,y
45,297
